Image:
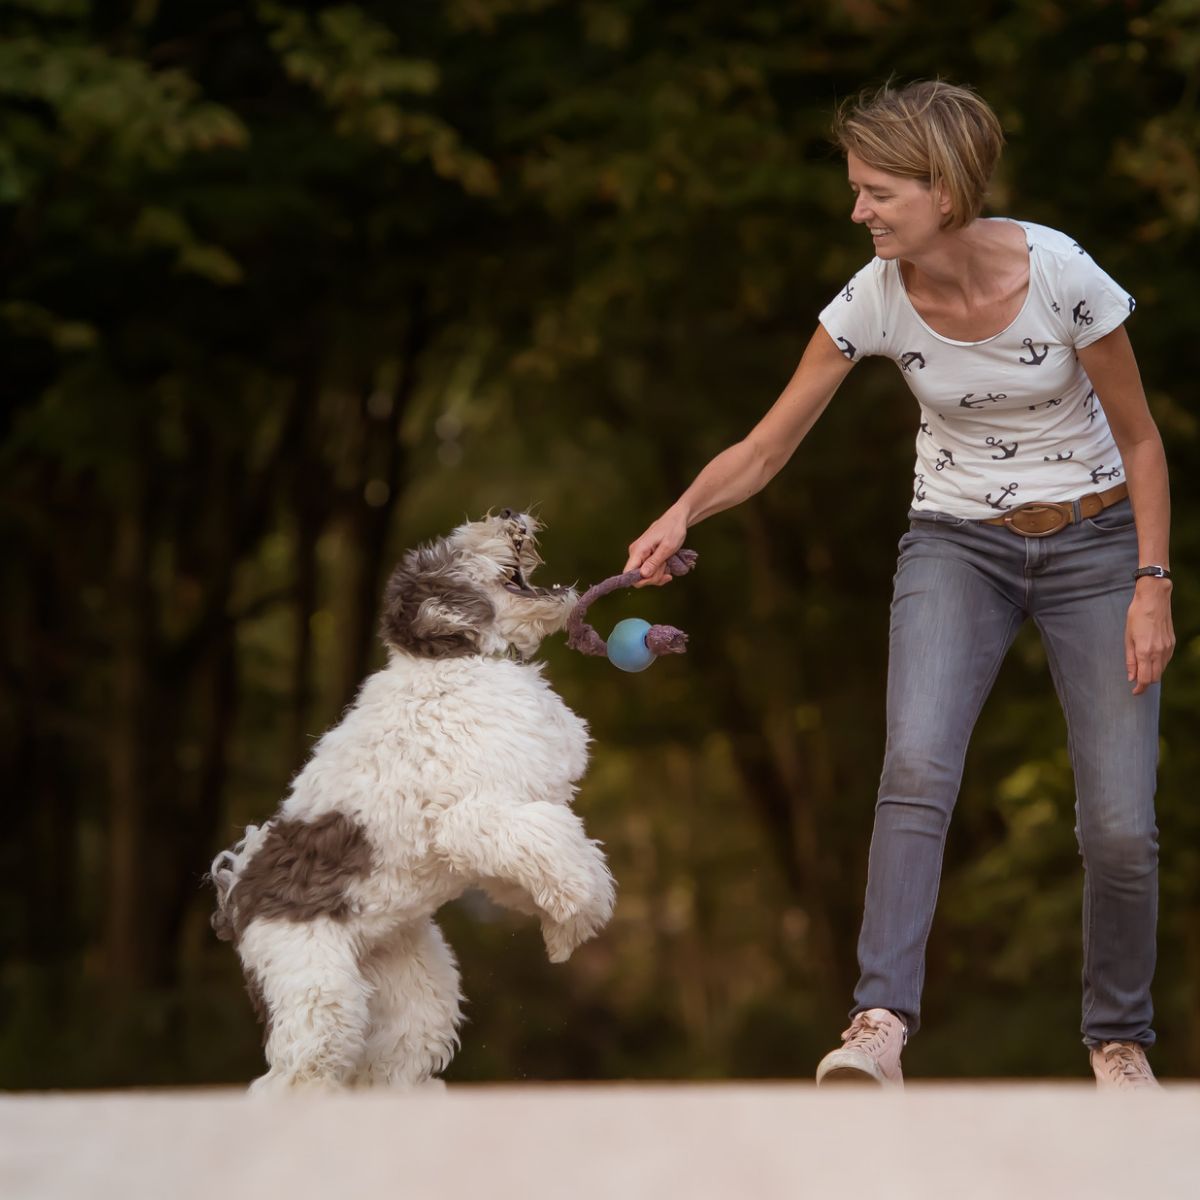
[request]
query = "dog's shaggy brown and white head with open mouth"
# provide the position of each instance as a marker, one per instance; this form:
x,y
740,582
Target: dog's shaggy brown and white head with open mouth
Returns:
x,y
470,593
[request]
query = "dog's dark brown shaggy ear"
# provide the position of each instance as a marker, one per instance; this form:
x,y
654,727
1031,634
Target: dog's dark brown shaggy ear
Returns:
x,y
431,610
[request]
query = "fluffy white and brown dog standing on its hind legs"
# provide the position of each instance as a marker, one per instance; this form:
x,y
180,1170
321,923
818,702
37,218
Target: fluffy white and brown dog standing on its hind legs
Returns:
x,y
454,769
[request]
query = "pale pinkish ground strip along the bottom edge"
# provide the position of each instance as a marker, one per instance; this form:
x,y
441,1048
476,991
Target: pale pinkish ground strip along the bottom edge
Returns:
x,y
723,1141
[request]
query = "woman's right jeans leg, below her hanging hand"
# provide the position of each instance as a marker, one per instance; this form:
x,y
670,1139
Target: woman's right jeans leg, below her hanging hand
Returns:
x,y
1081,608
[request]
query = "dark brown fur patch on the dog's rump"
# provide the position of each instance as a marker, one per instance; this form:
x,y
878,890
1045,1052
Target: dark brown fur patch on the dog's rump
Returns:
x,y
301,872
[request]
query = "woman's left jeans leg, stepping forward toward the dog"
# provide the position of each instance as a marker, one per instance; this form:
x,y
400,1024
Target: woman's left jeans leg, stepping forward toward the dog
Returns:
x,y
955,615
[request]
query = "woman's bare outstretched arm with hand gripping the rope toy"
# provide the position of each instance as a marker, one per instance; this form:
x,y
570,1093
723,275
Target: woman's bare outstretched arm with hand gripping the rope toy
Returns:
x,y
747,467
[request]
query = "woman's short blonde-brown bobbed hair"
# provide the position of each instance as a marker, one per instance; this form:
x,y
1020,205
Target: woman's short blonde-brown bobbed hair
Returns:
x,y
931,131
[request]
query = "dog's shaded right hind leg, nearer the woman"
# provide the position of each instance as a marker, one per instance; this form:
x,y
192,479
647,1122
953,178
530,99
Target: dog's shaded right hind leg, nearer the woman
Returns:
x,y
415,1007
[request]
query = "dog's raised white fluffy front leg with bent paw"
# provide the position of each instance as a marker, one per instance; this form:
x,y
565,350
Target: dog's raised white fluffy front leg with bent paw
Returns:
x,y
541,849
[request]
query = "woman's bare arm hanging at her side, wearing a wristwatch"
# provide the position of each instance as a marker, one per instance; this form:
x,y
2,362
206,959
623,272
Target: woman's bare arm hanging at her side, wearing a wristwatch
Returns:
x,y
1150,637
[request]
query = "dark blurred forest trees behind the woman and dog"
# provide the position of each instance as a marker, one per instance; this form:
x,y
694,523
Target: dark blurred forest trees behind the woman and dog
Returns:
x,y
289,289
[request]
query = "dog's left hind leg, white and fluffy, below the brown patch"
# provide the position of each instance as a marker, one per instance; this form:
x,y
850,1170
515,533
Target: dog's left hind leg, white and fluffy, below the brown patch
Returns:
x,y
315,997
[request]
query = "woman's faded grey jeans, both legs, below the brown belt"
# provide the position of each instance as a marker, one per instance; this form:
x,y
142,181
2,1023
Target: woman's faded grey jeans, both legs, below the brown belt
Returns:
x,y
962,591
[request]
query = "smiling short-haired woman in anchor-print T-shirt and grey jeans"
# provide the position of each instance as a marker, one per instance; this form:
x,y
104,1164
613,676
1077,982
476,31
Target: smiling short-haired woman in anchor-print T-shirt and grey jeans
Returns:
x,y
1035,452
